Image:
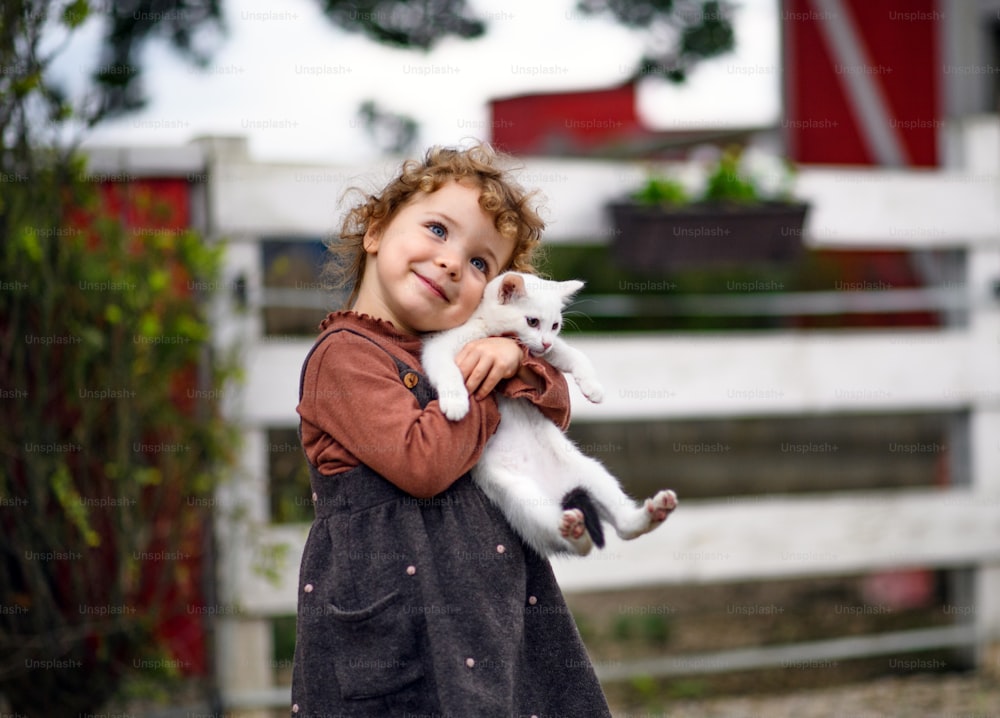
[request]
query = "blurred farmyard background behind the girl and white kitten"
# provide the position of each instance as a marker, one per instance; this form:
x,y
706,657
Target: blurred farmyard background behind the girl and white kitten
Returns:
x,y
787,213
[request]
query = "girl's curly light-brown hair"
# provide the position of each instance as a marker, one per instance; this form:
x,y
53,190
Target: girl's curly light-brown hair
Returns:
x,y
479,165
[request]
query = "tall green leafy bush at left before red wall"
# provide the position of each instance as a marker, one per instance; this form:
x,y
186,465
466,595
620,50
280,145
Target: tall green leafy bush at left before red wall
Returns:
x,y
111,428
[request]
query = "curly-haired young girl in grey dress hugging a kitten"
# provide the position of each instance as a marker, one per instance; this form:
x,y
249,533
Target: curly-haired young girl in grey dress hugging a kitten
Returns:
x,y
415,595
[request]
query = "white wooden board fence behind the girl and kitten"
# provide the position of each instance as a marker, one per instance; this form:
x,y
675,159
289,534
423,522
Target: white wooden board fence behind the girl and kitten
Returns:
x,y
956,368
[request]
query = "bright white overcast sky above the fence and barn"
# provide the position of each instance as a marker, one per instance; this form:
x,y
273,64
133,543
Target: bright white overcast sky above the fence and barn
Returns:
x,y
291,82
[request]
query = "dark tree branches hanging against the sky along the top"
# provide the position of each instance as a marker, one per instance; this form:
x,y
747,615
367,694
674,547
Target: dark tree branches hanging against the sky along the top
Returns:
x,y
678,35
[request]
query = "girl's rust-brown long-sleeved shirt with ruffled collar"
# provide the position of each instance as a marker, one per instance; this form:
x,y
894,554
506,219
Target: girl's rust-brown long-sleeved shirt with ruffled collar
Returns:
x,y
356,410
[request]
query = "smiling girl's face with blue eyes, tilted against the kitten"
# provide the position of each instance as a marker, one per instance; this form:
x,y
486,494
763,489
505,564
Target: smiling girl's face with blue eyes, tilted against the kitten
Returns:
x,y
427,268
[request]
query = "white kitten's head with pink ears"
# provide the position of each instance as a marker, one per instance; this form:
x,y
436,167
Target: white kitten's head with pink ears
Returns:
x,y
530,307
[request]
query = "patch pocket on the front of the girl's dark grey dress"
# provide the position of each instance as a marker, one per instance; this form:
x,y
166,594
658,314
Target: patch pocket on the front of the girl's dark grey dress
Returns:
x,y
377,648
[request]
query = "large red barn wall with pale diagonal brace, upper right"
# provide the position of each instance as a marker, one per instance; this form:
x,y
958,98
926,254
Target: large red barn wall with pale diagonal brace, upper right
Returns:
x,y
900,60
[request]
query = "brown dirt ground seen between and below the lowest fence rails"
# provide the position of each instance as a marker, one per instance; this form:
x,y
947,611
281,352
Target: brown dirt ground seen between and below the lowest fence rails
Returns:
x,y
619,627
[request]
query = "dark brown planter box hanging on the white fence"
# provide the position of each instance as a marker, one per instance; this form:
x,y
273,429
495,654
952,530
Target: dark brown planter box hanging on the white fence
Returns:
x,y
659,239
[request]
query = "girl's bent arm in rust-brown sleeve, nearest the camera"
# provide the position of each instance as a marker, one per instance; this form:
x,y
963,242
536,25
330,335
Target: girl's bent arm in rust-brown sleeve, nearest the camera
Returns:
x,y
353,395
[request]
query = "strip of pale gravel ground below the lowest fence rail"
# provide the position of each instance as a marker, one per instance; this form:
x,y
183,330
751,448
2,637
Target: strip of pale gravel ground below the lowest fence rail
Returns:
x,y
920,696
